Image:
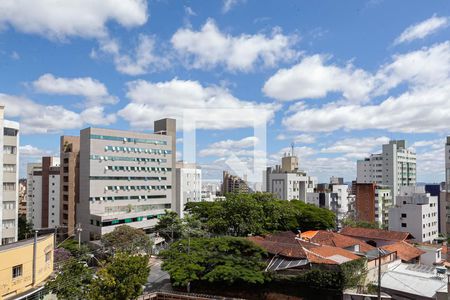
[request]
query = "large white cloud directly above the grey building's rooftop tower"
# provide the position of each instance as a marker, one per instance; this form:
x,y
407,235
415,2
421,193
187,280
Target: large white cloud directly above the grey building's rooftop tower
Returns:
x,y
211,107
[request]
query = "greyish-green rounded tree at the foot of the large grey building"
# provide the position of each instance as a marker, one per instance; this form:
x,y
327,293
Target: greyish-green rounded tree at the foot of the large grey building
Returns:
x,y
127,239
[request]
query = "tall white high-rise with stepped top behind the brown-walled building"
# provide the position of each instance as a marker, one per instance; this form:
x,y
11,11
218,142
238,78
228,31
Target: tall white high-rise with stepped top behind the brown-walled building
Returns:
x,y
394,167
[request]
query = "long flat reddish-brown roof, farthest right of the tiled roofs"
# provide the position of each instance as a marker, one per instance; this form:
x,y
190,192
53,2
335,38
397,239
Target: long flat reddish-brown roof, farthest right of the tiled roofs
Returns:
x,y
378,234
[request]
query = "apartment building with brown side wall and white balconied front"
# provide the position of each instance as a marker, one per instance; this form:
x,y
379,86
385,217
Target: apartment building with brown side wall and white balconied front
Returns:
x,y
372,203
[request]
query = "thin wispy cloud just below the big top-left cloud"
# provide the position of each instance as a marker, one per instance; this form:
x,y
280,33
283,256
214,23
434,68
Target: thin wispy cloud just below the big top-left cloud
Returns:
x,y
141,60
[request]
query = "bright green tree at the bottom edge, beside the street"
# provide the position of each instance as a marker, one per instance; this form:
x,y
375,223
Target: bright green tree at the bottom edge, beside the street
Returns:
x,y
121,279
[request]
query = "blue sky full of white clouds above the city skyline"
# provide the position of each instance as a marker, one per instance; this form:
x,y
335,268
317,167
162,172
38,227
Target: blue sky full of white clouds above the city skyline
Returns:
x,y
337,79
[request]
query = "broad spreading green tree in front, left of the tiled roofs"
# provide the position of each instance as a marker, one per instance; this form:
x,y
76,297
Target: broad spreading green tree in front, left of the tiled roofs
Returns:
x,y
224,260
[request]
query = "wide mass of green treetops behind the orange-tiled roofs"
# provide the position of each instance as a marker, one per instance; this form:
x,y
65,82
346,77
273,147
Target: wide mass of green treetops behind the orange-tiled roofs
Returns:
x,y
244,214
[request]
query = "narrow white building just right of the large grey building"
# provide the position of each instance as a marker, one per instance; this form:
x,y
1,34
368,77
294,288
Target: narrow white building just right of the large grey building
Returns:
x,y
188,185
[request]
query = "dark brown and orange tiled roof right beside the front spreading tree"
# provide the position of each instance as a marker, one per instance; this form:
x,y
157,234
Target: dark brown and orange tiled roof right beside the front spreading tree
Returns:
x,y
287,244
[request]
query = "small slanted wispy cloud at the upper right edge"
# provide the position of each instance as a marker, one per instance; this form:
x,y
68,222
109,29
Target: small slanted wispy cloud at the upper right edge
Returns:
x,y
422,29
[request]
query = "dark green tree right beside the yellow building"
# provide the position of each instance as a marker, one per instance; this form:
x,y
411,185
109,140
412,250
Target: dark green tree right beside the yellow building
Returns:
x,y
72,281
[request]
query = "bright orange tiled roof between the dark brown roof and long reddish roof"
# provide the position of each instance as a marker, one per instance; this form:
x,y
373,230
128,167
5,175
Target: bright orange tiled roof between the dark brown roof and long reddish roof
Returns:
x,y
335,239
